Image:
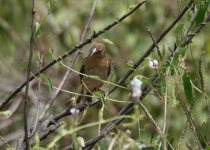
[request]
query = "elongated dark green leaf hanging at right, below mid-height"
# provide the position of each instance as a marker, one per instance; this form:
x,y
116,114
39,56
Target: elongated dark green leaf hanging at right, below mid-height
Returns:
x,y
187,88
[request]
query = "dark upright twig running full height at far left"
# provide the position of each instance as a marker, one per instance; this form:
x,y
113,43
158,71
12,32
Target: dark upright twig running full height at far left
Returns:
x,y
32,39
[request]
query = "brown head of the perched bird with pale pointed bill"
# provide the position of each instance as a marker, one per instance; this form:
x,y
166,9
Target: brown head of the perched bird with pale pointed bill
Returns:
x,y
97,49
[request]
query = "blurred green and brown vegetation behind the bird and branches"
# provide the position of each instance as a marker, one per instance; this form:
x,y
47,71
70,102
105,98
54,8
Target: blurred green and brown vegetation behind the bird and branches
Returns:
x,y
61,27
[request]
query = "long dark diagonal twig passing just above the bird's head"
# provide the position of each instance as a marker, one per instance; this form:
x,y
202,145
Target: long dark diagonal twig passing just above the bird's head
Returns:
x,y
88,40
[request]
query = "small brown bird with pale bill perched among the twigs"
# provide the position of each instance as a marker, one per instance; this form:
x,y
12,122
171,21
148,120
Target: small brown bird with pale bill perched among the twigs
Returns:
x,y
95,64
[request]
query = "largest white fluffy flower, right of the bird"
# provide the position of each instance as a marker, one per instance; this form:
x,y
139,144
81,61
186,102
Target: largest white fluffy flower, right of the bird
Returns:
x,y
136,92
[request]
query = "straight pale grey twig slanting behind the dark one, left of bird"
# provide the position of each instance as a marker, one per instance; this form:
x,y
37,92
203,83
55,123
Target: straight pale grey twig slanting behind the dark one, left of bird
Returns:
x,y
68,72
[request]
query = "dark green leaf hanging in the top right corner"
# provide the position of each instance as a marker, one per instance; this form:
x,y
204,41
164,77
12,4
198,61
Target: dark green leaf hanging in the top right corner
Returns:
x,y
202,11
